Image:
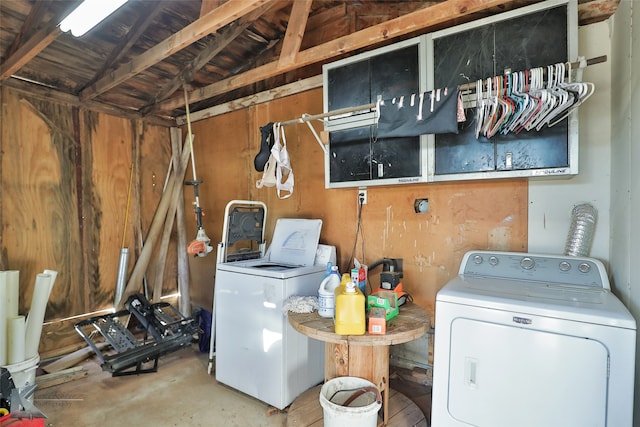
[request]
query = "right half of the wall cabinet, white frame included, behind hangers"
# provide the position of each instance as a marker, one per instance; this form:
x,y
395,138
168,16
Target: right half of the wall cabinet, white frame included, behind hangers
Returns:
x,y
532,37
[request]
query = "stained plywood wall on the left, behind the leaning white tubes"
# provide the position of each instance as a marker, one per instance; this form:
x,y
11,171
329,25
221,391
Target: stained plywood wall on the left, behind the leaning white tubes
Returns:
x,y
65,179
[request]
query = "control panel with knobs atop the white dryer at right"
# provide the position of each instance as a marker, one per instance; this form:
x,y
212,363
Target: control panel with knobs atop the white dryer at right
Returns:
x,y
560,269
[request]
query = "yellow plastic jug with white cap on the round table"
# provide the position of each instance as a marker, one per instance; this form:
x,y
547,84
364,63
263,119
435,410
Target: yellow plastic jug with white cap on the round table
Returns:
x,y
350,314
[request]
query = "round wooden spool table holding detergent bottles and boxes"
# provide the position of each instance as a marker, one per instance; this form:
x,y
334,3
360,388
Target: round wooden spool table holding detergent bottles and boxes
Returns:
x,y
365,356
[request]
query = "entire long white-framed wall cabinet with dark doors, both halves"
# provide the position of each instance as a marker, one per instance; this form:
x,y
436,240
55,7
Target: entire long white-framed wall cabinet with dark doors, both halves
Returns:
x,y
533,36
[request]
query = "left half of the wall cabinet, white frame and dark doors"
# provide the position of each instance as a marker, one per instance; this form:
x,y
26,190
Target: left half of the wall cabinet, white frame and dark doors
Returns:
x,y
356,155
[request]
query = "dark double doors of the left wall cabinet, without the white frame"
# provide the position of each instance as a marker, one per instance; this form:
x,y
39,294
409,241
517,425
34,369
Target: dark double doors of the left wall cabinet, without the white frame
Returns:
x,y
358,154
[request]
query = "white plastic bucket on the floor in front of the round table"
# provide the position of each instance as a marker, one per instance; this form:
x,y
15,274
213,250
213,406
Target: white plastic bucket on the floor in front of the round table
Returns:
x,y
361,412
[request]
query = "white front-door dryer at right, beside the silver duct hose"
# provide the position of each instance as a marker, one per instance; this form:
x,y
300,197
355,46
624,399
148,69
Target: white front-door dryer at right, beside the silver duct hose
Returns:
x,y
532,340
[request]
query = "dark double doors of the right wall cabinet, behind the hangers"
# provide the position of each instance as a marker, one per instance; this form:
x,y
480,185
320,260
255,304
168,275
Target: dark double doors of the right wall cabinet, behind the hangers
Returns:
x,y
534,40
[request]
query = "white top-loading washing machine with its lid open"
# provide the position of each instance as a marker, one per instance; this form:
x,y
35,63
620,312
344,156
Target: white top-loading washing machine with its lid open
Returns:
x,y
256,349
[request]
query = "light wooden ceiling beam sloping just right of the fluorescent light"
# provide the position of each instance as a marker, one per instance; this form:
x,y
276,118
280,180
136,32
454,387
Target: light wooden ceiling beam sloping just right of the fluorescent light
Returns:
x,y
212,21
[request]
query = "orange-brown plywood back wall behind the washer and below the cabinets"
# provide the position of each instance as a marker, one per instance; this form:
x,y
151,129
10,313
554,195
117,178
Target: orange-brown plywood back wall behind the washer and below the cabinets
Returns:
x,y
463,215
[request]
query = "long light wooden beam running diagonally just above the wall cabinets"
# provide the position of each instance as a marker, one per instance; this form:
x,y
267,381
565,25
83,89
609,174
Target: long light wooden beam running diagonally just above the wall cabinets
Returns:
x,y
406,24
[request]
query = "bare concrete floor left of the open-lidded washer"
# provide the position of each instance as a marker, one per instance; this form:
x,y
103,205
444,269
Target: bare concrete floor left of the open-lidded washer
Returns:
x,y
181,393
